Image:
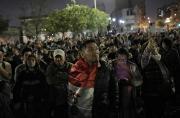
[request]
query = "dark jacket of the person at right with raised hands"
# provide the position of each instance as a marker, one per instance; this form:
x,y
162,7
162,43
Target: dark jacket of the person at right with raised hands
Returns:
x,y
155,79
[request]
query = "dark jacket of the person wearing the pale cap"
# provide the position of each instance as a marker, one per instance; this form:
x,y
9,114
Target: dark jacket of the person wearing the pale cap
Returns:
x,y
57,78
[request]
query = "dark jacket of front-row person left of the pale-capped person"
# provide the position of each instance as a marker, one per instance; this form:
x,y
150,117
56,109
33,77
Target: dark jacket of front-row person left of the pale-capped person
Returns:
x,y
30,87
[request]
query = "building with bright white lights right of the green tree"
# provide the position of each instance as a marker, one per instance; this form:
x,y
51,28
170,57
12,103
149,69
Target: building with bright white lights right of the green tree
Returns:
x,y
131,12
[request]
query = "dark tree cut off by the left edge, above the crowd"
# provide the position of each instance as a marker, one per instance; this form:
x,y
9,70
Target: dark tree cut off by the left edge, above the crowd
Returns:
x,y
3,25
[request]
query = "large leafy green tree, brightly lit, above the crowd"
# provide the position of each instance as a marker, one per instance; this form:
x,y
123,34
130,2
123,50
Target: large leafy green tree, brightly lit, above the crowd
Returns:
x,y
76,18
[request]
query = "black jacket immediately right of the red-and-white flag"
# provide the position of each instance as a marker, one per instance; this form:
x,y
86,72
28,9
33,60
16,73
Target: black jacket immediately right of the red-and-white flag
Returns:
x,y
105,93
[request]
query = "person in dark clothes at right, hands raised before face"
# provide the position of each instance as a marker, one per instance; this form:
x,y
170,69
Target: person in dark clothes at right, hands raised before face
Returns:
x,y
156,86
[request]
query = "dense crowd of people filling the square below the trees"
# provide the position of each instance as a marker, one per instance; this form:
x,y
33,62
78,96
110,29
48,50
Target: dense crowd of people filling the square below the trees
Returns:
x,y
134,75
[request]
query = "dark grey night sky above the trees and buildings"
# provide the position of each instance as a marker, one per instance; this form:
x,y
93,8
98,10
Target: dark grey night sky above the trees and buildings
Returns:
x,y
11,9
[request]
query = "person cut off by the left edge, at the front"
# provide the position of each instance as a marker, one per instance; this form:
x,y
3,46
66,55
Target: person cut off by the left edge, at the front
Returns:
x,y
5,92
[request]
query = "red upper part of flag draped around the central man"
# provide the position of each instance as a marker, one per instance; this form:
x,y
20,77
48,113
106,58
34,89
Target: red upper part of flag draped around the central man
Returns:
x,y
81,75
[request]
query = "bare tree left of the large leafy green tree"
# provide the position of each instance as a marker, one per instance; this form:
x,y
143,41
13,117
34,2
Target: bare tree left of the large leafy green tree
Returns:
x,y
33,12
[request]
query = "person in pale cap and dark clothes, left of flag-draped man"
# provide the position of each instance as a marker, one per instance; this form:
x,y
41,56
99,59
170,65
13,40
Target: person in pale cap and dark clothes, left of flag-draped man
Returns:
x,y
57,78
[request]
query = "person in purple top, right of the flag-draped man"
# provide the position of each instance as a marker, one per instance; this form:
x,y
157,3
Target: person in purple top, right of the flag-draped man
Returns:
x,y
128,77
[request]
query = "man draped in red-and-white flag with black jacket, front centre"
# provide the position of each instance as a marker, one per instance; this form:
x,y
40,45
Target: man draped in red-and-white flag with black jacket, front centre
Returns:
x,y
90,87
